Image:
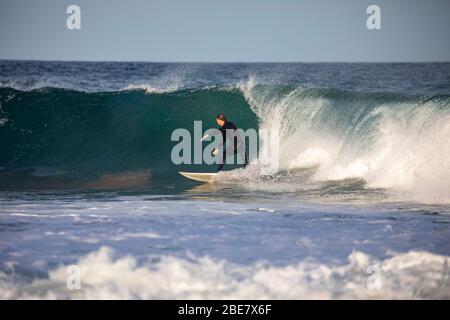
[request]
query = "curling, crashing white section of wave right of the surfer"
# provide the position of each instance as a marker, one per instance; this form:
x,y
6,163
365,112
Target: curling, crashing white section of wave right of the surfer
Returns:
x,y
390,140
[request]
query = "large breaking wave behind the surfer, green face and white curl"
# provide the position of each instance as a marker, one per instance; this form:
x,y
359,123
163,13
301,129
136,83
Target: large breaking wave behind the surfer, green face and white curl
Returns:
x,y
391,141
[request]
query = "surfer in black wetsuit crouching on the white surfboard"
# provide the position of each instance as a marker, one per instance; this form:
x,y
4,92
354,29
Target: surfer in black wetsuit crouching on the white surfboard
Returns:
x,y
228,129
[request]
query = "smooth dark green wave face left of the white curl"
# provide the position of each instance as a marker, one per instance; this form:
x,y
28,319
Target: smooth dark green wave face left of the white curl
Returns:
x,y
76,136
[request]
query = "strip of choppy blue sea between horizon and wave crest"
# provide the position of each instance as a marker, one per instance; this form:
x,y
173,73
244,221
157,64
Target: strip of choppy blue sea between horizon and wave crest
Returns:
x,y
114,76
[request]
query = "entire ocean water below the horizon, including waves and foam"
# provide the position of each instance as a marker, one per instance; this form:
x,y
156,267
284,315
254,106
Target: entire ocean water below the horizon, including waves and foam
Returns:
x,y
360,207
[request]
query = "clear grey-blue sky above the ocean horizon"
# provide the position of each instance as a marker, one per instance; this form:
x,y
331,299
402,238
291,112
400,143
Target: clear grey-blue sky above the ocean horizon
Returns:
x,y
226,30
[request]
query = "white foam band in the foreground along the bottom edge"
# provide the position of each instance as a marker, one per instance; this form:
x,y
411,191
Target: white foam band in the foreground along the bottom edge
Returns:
x,y
412,275
